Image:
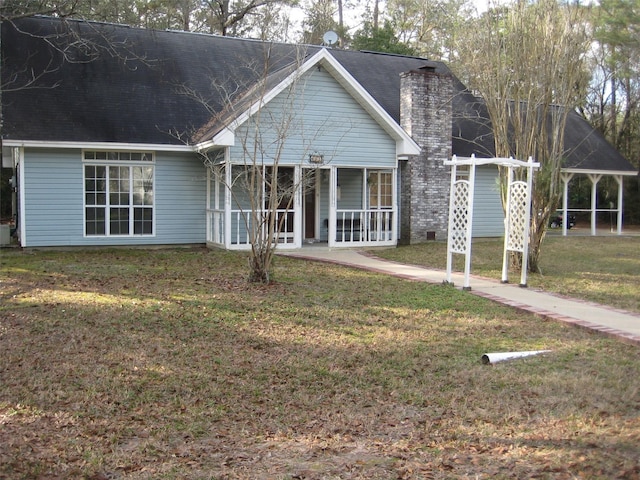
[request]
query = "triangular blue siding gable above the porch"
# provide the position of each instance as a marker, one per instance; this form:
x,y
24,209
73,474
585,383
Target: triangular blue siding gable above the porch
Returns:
x,y
324,119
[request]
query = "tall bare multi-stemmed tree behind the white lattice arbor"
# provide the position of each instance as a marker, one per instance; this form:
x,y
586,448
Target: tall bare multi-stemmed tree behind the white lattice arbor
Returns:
x,y
527,61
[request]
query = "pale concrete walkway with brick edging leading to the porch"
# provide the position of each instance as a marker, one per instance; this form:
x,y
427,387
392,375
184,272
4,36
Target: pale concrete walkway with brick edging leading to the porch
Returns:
x,y
618,323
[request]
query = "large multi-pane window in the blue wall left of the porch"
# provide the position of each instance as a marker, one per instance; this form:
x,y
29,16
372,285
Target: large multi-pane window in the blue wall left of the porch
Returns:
x,y
118,193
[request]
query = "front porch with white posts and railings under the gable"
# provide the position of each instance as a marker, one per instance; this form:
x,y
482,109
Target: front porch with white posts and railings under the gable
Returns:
x,y
339,207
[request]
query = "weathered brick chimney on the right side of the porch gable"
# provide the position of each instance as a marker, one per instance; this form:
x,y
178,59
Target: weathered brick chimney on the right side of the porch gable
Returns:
x,y
425,113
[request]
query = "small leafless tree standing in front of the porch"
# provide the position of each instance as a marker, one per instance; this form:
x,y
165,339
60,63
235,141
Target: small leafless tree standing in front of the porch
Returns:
x,y
273,139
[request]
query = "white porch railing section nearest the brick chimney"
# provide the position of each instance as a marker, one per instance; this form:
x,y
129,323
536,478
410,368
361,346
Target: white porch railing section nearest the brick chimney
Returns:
x,y
364,226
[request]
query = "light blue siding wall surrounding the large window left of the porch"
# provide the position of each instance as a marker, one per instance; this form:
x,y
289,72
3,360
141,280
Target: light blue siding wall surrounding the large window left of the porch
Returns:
x,y
53,209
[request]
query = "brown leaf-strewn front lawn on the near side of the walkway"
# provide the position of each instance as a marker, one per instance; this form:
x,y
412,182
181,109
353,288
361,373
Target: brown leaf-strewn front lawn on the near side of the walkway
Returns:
x,y
166,364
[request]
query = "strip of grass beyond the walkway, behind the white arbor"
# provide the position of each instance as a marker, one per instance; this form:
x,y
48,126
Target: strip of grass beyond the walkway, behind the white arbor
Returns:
x,y
599,269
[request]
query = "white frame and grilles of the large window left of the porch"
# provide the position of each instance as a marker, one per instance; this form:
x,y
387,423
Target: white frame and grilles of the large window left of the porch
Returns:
x,y
131,160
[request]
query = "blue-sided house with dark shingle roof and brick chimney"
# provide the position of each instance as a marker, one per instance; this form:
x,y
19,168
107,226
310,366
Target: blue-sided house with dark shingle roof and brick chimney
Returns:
x,y
124,136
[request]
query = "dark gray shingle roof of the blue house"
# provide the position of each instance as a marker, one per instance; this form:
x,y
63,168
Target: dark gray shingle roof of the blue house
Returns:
x,y
98,82
